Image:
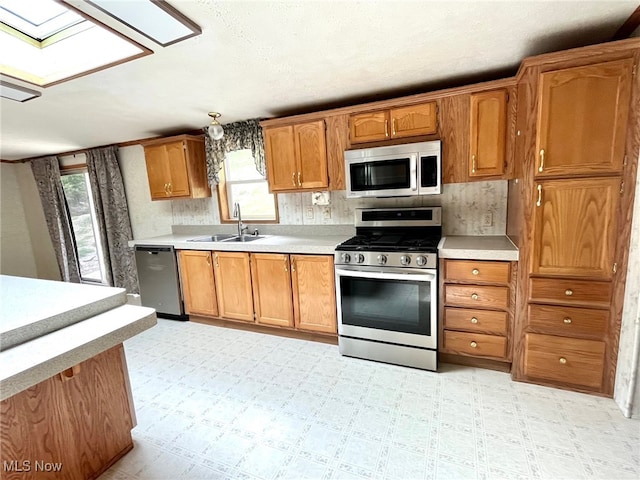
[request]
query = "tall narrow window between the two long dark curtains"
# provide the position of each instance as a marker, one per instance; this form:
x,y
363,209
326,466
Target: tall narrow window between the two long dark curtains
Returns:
x,y
77,191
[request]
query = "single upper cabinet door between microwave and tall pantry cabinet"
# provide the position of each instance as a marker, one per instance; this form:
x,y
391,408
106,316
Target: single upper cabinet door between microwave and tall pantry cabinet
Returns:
x,y
488,130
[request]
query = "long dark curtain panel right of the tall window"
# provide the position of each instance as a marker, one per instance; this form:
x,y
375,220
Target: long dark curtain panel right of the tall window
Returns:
x,y
112,215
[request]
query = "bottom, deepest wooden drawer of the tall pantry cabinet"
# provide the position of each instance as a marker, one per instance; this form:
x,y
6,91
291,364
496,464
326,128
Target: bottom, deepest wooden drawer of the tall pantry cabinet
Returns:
x,y
564,360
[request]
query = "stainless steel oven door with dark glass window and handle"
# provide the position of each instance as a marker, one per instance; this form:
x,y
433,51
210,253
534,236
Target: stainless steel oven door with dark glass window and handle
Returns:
x,y
396,306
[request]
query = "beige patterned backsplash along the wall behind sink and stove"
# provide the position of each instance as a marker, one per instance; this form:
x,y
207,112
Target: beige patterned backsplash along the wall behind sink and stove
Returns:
x,y
464,206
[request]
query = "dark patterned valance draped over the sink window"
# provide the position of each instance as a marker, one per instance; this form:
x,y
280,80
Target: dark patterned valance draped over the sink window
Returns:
x,y
237,136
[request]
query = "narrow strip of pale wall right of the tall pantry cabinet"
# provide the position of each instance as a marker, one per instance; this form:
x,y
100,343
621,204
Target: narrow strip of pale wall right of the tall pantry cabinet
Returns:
x,y
627,386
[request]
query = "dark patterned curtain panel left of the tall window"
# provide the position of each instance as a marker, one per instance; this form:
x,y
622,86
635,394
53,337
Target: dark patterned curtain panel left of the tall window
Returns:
x,y
46,172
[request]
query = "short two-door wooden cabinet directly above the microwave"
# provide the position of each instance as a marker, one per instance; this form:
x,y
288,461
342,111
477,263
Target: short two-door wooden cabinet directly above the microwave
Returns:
x,y
400,122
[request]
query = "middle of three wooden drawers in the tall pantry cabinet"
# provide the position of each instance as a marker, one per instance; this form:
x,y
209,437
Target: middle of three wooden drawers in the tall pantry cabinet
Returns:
x,y
570,321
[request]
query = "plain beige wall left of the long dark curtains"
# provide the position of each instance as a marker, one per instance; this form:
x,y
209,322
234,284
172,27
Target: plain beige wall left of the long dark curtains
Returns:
x,y
25,245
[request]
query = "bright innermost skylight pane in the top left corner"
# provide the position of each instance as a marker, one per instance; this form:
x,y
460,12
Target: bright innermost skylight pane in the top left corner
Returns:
x,y
38,19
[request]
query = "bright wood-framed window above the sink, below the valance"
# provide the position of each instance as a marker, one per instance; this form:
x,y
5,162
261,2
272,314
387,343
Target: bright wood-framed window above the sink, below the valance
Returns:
x,y
241,183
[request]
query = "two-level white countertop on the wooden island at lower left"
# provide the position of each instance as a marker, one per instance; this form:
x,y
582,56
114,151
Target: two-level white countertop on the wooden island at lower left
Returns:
x,y
61,345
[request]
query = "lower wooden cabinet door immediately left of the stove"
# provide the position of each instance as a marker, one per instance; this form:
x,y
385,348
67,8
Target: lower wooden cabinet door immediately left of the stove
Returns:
x,y
314,293
